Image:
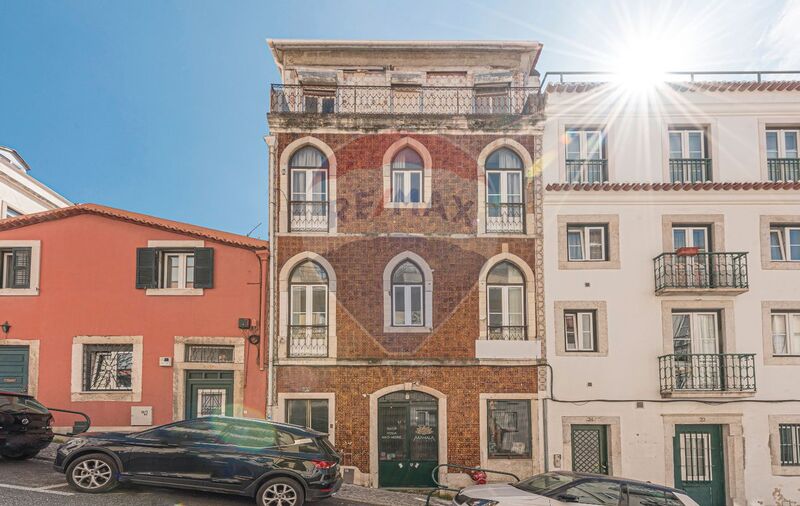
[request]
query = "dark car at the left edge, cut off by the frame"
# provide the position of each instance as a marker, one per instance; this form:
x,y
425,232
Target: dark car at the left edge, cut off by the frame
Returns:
x,y
25,426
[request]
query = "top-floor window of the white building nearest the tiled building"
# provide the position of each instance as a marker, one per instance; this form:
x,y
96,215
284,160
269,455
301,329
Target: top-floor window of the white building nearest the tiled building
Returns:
x,y
586,157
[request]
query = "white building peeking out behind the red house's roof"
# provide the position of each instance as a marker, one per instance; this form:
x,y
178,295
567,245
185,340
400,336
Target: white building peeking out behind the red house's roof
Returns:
x,y
19,192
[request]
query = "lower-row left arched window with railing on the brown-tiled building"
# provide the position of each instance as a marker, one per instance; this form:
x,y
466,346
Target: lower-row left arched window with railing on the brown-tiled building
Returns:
x,y
308,306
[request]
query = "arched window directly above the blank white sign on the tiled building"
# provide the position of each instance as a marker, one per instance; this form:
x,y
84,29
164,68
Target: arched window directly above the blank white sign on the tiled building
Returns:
x,y
505,287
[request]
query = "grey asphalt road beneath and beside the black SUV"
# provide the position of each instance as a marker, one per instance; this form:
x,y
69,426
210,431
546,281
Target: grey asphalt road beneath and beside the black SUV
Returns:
x,y
34,482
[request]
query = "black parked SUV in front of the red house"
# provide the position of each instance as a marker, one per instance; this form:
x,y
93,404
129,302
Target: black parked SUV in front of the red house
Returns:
x,y
277,464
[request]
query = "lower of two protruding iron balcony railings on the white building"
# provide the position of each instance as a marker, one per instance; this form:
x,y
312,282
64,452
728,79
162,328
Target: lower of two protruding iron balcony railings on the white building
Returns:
x,y
715,372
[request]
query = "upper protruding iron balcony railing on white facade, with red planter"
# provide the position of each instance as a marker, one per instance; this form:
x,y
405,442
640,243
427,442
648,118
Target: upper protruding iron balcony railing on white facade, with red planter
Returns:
x,y
701,271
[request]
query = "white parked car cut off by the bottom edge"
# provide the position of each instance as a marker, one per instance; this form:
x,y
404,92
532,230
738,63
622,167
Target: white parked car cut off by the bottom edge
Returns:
x,y
573,488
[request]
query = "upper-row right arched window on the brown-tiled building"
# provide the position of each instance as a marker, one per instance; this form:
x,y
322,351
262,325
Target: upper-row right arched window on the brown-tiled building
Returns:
x,y
505,207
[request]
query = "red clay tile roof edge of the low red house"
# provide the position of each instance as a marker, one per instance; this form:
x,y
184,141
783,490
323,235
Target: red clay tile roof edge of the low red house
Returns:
x,y
140,219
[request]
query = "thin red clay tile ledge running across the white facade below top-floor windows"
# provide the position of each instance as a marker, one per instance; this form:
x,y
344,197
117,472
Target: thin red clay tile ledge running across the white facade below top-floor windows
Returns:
x,y
757,185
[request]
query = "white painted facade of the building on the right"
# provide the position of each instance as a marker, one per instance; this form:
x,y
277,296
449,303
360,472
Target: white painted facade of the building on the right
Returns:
x,y
639,322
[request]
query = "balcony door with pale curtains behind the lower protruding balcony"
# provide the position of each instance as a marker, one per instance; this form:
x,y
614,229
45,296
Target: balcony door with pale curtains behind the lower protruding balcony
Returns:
x,y
696,341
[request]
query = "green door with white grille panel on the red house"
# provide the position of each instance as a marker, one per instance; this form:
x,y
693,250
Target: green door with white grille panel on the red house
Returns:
x,y
209,393
